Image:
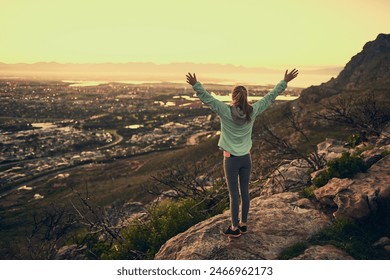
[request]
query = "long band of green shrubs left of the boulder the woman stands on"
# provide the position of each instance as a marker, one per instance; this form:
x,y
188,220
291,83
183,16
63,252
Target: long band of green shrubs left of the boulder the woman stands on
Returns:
x,y
166,219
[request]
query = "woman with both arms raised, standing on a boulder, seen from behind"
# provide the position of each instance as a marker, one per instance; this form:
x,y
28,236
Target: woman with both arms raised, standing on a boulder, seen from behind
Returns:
x,y
236,141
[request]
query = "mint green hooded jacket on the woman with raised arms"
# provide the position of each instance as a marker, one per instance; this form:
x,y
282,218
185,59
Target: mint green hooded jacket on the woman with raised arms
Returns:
x,y
237,138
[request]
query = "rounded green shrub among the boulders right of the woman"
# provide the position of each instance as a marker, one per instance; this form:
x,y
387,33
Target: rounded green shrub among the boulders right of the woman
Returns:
x,y
344,167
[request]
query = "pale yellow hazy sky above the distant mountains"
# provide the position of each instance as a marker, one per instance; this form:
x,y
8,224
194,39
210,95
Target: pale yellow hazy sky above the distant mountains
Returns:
x,y
272,33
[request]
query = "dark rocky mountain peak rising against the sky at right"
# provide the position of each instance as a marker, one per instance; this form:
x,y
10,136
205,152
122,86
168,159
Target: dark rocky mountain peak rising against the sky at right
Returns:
x,y
366,72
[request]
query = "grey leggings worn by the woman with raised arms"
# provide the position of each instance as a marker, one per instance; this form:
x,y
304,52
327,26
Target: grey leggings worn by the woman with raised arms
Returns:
x,y
238,169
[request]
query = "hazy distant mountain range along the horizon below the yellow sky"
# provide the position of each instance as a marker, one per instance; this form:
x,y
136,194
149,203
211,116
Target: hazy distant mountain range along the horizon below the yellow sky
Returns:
x,y
156,72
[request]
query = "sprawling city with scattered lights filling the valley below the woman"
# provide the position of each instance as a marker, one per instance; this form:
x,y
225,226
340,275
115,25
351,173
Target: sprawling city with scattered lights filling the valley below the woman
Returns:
x,y
50,130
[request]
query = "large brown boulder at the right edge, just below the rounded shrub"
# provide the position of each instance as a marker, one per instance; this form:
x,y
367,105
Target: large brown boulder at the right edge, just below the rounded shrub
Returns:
x,y
357,198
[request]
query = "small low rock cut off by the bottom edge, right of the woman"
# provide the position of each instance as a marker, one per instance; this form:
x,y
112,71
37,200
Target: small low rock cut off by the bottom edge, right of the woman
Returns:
x,y
327,252
